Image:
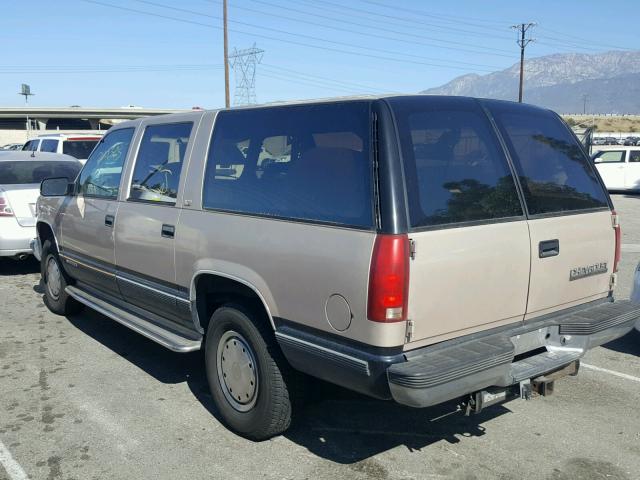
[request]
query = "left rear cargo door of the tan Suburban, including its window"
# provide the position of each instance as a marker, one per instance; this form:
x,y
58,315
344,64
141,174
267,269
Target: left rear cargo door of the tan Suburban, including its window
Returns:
x,y
471,266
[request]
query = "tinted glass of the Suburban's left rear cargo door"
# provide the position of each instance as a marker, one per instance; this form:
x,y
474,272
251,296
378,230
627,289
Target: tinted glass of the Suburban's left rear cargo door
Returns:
x,y
455,170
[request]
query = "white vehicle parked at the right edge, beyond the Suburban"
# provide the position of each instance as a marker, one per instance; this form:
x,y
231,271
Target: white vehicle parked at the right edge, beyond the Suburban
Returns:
x,y
619,167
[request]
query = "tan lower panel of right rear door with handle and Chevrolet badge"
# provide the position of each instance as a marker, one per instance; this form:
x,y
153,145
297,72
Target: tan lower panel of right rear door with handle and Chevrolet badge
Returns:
x,y
581,268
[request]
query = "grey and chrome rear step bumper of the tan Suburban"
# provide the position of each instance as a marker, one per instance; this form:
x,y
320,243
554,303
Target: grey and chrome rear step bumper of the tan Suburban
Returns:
x,y
450,370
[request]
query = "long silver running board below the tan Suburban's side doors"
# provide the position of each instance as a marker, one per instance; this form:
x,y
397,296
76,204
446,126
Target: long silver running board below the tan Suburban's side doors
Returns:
x,y
158,334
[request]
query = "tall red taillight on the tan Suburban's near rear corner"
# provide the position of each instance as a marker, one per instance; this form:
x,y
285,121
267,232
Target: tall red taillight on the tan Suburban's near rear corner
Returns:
x,y
389,279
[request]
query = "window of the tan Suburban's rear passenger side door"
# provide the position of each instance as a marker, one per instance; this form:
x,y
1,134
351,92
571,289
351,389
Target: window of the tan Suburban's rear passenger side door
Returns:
x,y
156,175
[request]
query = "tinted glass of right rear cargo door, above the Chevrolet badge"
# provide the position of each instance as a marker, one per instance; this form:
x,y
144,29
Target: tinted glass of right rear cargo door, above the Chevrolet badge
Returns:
x,y
555,173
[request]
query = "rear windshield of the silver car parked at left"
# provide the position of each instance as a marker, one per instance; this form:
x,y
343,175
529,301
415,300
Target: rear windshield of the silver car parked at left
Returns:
x,y
32,172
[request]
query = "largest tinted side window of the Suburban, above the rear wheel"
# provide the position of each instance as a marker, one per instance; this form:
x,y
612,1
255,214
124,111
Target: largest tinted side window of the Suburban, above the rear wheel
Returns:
x,y
304,162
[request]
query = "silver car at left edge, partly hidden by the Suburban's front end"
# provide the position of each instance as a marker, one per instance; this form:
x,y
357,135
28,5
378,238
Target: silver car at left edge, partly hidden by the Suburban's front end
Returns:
x,y
20,177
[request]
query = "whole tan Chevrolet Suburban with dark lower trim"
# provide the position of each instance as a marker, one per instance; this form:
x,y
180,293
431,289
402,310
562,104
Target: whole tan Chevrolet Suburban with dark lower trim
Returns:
x,y
414,248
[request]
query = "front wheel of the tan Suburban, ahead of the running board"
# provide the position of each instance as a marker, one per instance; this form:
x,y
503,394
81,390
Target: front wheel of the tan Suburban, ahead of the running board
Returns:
x,y
55,281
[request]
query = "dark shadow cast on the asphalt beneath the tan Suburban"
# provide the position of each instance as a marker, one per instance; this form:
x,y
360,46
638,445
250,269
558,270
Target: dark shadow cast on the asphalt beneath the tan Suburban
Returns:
x,y
335,423
